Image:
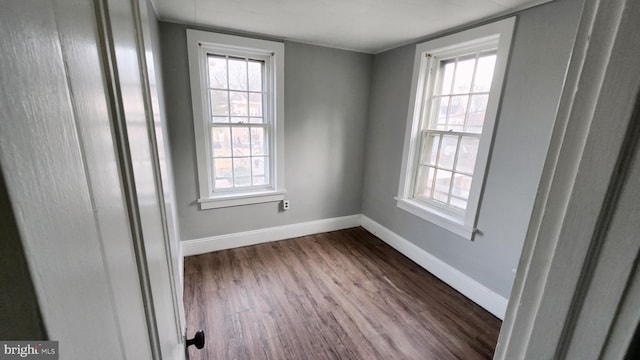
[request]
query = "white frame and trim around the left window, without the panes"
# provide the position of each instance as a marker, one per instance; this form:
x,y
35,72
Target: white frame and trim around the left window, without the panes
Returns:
x,y
201,43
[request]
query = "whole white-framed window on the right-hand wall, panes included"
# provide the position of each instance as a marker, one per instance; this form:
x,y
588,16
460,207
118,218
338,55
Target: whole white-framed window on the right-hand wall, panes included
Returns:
x,y
457,81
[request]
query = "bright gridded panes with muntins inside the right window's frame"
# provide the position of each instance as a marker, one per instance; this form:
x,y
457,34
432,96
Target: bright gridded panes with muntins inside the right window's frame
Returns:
x,y
451,130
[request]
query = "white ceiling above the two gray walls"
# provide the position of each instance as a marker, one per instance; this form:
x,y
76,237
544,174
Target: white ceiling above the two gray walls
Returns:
x,y
369,26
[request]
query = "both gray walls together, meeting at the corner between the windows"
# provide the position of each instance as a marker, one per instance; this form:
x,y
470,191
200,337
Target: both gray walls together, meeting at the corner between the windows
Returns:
x,y
345,111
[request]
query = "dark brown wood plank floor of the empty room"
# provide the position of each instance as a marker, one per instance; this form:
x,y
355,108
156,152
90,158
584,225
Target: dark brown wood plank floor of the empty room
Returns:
x,y
338,295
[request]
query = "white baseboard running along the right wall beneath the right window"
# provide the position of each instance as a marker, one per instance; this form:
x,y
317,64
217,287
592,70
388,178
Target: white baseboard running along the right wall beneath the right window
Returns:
x,y
476,292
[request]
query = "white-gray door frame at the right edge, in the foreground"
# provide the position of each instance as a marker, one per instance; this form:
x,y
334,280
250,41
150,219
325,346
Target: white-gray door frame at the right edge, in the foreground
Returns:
x,y
570,242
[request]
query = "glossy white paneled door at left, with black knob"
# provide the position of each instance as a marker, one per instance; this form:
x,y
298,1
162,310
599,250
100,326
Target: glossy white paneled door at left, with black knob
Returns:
x,y
82,166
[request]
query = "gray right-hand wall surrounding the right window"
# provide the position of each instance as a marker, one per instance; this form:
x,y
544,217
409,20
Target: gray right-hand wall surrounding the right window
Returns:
x,y
543,41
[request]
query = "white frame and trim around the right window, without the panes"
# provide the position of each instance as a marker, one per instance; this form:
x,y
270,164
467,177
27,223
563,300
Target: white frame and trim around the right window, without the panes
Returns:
x,y
496,35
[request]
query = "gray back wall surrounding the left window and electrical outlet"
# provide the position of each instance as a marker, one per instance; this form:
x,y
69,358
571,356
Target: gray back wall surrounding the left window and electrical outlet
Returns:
x,y
326,103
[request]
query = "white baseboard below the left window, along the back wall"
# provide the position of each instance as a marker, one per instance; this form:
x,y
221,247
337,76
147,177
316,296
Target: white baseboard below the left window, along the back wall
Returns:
x,y
246,238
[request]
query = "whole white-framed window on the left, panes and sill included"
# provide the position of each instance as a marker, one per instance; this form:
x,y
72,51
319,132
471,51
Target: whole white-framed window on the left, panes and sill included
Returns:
x,y
237,88
